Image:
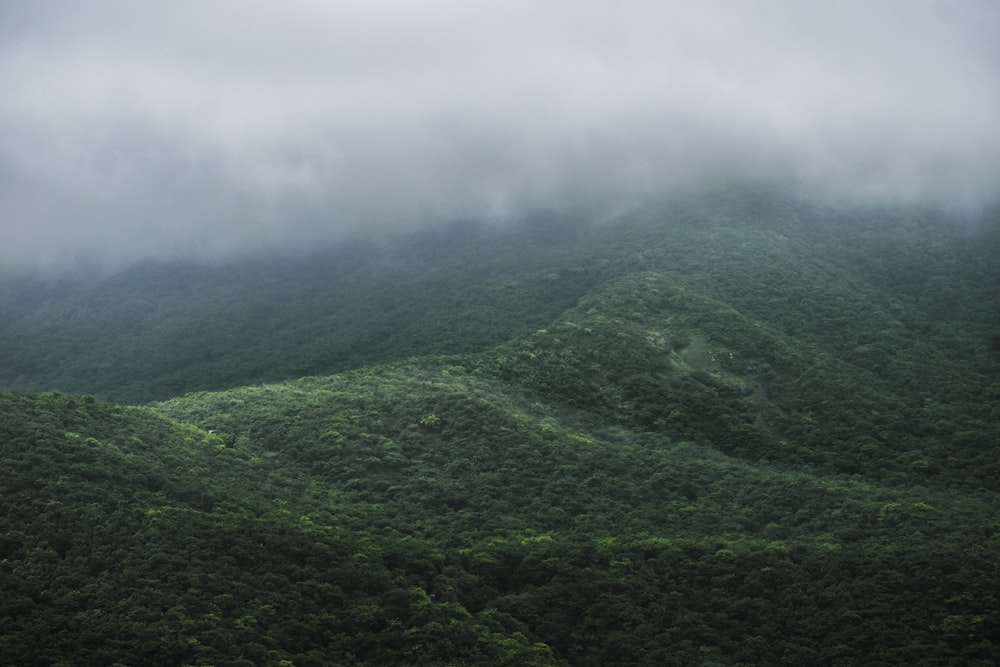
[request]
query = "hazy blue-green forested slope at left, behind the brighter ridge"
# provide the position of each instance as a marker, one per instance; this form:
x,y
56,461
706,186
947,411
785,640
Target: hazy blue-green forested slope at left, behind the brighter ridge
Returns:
x,y
157,330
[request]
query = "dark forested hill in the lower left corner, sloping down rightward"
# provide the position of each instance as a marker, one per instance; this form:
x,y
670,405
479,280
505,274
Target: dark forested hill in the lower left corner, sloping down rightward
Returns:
x,y
131,539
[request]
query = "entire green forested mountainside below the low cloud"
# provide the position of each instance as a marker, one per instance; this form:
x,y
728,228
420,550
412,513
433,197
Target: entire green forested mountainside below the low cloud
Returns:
x,y
745,432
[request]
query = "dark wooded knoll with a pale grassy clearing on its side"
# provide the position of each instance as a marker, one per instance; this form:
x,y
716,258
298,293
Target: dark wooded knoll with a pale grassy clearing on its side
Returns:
x,y
653,353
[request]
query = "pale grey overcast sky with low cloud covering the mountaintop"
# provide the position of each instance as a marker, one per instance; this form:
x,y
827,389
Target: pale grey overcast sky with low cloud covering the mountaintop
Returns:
x,y
134,128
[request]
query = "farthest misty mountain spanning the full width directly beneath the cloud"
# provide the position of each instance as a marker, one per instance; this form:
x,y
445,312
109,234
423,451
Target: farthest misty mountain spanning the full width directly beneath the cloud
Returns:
x,y
862,284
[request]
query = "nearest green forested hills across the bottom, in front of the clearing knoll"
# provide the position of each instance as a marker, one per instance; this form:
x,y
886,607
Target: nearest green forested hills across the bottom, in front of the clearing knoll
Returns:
x,y
425,514
